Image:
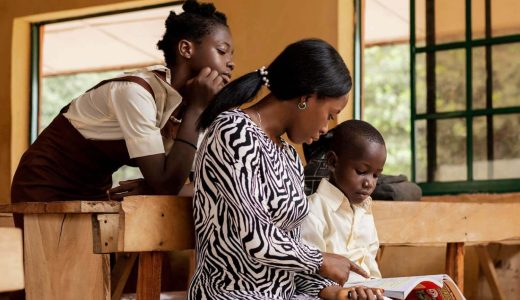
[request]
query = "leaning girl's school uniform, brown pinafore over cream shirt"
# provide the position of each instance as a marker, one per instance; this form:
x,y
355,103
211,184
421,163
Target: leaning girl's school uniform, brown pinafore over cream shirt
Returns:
x,y
97,133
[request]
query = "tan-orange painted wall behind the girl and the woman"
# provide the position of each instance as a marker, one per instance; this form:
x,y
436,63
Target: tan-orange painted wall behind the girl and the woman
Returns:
x,y
261,29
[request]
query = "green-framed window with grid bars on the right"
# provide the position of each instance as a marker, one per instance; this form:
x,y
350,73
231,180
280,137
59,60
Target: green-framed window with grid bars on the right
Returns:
x,y
465,95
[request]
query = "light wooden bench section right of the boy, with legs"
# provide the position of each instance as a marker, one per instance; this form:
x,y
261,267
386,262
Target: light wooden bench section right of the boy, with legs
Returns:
x,y
454,221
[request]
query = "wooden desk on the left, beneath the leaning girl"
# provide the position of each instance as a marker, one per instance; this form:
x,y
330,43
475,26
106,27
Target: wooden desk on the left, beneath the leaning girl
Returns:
x,y
67,243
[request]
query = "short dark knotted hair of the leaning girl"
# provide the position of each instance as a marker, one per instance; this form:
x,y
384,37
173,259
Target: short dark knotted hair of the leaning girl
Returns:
x,y
197,21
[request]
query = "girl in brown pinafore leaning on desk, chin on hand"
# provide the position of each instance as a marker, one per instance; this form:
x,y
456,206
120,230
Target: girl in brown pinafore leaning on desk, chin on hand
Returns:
x,y
123,121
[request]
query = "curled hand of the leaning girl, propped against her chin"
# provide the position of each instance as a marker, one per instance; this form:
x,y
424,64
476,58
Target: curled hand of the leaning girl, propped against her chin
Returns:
x,y
200,90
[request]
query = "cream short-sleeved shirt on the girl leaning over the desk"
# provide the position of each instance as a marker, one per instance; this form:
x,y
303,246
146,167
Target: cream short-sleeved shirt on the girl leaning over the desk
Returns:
x,y
125,110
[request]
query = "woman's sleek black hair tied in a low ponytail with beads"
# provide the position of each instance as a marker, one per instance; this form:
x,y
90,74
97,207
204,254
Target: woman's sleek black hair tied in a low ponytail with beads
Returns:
x,y
303,68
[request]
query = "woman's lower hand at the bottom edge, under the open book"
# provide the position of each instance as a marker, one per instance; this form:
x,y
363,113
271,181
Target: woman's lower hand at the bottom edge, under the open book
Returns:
x,y
355,292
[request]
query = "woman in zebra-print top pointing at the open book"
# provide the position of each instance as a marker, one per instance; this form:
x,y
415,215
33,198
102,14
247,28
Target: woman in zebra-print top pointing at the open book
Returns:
x,y
249,198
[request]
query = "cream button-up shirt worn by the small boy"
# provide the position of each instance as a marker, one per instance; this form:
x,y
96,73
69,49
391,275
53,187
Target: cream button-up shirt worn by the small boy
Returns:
x,y
336,226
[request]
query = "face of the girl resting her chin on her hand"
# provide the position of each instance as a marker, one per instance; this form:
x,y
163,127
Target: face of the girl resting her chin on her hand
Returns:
x,y
215,50
